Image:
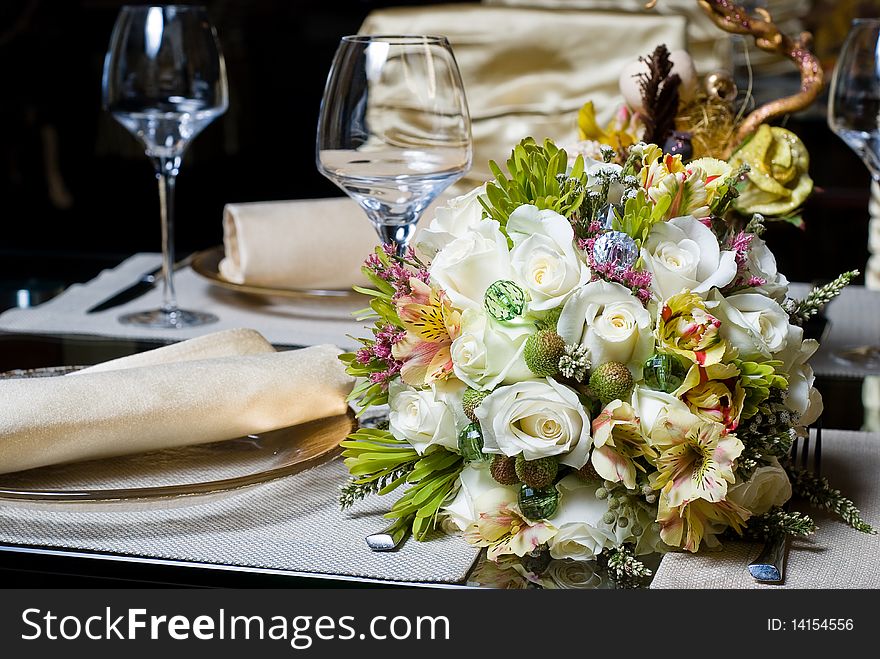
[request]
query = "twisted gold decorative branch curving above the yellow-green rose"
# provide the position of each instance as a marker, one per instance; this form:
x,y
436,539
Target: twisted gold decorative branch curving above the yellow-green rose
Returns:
x,y
733,18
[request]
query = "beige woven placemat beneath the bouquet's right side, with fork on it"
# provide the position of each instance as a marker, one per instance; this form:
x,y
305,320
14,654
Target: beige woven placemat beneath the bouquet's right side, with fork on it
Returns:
x,y
836,556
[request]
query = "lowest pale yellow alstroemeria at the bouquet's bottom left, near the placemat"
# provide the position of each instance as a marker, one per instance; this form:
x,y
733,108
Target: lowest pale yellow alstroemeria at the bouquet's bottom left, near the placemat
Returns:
x,y
501,527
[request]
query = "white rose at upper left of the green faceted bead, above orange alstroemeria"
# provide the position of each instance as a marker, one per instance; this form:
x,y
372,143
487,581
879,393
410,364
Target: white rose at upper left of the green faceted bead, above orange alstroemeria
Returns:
x,y
468,265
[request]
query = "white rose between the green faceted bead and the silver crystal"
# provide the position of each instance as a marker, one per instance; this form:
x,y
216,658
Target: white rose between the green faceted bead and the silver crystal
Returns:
x,y
544,257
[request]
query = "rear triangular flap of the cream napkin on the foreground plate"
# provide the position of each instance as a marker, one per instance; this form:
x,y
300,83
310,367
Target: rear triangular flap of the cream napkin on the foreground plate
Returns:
x,y
225,343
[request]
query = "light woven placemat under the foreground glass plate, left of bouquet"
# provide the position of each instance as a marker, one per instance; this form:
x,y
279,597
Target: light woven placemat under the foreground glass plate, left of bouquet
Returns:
x,y
292,524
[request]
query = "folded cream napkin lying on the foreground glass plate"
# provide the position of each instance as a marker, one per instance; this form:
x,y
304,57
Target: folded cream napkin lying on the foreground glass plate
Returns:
x,y
146,407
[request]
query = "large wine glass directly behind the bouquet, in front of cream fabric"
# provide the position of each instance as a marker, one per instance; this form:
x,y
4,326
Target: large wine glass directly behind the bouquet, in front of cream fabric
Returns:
x,y
394,129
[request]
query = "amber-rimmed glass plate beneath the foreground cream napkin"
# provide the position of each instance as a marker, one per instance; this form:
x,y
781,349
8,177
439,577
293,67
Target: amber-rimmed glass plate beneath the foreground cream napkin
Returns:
x,y
180,474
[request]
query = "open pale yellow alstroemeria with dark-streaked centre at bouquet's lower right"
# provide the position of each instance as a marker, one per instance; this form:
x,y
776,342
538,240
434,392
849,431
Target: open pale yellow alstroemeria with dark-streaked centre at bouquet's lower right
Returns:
x,y
696,460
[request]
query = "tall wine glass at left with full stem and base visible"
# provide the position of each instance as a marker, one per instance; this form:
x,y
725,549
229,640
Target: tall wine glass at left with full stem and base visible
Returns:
x,y
165,80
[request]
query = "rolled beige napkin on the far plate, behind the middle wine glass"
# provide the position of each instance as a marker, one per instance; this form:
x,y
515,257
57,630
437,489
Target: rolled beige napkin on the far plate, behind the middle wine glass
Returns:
x,y
309,243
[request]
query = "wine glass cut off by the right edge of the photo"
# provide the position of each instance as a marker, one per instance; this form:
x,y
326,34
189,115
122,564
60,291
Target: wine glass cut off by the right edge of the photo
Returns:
x,y
854,115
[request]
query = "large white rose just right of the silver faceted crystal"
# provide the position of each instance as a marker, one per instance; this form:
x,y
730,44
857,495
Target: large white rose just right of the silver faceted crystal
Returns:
x,y
684,254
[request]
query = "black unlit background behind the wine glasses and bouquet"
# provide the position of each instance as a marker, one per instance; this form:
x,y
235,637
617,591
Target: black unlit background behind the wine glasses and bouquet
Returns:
x,y
77,193
